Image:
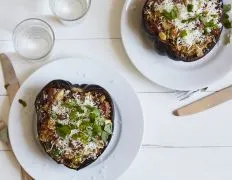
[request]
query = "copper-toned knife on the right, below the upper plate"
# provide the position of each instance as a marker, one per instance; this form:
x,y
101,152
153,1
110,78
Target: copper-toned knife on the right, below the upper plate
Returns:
x,y
207,102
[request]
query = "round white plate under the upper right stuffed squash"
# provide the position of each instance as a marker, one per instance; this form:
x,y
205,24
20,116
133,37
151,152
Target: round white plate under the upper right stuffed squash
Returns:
x,y
161,69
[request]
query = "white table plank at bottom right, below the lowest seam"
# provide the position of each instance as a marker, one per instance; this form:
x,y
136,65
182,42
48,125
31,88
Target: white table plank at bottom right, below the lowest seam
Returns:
x,y
181,164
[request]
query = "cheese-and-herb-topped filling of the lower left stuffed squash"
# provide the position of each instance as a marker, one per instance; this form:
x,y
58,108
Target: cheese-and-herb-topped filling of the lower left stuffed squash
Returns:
x,y
79,127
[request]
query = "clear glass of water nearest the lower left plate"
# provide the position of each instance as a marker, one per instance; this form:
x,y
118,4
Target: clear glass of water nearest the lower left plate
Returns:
x,y
33,39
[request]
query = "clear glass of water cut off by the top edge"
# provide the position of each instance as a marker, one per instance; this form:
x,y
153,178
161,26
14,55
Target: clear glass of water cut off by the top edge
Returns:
x,y
69,11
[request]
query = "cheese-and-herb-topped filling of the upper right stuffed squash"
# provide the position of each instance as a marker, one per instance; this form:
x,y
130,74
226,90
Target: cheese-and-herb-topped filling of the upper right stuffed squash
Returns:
x,y
186,22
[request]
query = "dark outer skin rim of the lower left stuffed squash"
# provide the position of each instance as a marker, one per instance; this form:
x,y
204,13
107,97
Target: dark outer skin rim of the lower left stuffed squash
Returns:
x,y
67,85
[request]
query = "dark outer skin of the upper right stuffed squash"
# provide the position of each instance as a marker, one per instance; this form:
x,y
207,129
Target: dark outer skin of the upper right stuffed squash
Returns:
x,y
164,49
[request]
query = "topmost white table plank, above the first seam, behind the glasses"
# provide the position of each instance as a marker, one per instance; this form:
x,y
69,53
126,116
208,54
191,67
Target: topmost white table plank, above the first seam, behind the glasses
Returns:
x,y
102,21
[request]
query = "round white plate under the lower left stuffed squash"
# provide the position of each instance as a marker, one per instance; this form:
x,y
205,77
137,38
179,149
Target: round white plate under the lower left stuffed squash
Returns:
x,y
128,122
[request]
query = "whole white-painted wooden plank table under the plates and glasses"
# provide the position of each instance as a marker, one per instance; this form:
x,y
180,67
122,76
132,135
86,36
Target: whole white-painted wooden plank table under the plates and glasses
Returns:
x,y
195,147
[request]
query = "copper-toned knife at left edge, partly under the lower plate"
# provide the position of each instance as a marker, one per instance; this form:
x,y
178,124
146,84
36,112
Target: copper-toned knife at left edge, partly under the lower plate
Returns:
x,y
12,86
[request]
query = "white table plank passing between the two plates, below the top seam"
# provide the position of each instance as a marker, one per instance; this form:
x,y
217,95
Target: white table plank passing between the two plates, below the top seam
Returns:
x,y
108,51
